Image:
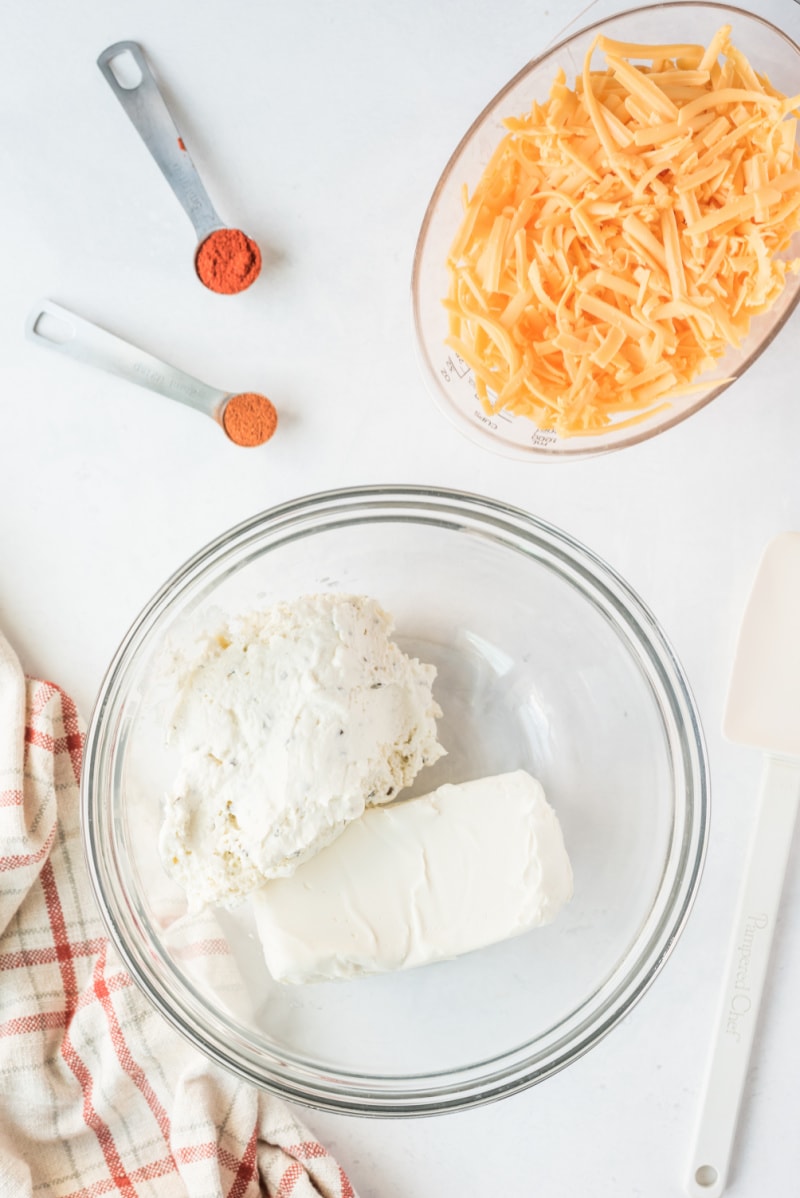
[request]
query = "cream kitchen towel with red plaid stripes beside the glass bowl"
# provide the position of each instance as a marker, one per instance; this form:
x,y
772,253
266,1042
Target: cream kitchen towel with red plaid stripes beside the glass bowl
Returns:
x,y
99,1096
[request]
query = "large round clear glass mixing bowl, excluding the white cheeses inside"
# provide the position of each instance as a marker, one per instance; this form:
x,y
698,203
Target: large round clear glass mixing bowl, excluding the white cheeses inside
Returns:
x,y
547,662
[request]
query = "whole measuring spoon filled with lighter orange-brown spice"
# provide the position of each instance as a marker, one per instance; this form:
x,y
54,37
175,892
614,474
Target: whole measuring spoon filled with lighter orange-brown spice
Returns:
x,y
247,418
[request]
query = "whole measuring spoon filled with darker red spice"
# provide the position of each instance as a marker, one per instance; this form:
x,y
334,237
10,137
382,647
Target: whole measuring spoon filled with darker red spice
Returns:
x,y
227,261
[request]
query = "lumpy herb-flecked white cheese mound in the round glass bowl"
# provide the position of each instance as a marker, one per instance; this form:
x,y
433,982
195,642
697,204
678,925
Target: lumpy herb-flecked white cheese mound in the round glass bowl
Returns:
x,y
289,722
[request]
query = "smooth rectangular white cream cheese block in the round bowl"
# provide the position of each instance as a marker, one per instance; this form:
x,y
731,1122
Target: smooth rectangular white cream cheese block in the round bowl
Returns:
x,y
420,881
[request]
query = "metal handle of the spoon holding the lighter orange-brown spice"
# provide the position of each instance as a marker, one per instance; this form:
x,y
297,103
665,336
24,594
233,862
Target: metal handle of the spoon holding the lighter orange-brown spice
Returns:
x,y
58,329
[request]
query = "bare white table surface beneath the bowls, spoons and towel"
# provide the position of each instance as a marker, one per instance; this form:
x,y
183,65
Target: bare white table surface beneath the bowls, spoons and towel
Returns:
x,y
322,129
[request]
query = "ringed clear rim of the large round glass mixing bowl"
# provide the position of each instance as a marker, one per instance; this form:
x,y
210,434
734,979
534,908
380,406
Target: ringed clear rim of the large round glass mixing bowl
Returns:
x,y
419,1094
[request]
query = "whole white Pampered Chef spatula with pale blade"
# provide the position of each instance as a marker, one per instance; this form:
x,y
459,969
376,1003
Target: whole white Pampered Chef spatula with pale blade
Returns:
x,y
763,711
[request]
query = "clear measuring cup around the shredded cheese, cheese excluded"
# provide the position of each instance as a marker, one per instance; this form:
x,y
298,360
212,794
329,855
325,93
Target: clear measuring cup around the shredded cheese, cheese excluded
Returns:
x,y
450,379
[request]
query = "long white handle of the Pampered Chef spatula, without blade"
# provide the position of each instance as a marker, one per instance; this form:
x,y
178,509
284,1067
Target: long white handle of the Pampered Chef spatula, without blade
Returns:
x,y
744,978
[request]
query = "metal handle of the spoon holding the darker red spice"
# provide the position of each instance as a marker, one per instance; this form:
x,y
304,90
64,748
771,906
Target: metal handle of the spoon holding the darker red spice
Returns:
x,y
149,113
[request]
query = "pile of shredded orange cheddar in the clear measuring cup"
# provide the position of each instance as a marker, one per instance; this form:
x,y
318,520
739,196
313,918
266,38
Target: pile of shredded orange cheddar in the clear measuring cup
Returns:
x,y
625,234
